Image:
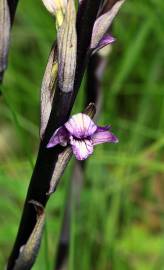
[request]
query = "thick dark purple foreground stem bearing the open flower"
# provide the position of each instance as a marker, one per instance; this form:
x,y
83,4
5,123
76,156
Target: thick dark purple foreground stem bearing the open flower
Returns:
x,y
62,105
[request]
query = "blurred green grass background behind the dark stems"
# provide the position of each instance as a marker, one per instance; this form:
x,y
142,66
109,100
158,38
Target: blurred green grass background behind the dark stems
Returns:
x,y
120,223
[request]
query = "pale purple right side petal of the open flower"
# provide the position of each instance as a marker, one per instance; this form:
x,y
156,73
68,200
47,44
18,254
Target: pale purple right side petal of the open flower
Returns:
x,y
103,136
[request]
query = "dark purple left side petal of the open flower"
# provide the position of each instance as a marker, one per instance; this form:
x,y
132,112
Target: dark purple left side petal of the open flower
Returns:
x,y
59,137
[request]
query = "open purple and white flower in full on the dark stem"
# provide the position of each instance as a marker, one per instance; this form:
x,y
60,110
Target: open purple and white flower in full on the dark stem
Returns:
x,y
82,134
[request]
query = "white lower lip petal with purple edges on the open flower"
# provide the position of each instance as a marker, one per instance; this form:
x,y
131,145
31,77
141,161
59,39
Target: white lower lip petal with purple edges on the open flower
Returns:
x,y
81,148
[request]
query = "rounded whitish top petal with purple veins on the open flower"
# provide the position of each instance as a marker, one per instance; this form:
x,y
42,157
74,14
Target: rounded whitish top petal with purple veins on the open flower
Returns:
x,y
80,125
